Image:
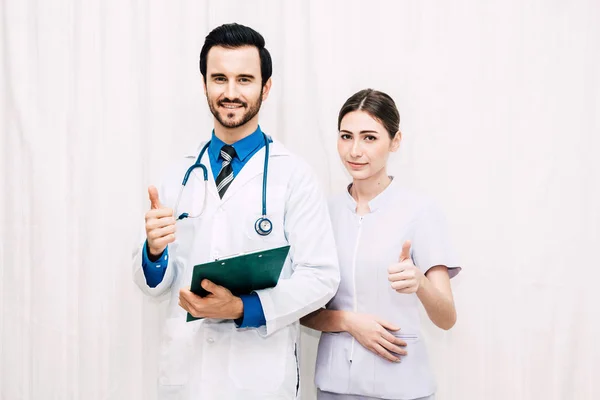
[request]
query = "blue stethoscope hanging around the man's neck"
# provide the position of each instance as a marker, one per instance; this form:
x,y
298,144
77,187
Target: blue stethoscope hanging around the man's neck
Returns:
x,y
263,225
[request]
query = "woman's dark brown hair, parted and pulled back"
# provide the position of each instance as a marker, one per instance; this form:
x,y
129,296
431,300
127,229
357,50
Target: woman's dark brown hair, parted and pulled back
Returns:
x,y
378,105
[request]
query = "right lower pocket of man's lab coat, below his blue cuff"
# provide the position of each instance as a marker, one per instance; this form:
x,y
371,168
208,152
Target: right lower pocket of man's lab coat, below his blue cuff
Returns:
x,y
259,363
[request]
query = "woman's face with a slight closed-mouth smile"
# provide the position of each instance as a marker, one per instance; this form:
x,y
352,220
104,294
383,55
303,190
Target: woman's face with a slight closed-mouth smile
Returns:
x,y
364,145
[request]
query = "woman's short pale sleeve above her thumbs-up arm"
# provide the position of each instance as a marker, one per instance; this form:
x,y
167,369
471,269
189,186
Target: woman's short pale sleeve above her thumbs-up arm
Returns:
x,y
431,245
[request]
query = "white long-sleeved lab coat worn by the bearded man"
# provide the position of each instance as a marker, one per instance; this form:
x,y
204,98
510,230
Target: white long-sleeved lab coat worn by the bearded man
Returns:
x,y
212,359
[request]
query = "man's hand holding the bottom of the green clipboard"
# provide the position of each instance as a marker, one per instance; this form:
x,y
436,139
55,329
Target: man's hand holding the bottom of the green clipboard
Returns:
x,y
219,303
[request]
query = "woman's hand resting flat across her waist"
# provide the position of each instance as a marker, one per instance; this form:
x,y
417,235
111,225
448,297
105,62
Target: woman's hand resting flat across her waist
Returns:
x,y
373,333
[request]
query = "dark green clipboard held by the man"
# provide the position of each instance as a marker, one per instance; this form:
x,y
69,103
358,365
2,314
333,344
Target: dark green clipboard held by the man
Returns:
x,y
242,273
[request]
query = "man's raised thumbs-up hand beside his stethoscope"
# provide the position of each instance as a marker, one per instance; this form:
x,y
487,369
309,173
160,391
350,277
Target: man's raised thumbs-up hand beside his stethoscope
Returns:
x,y
160,225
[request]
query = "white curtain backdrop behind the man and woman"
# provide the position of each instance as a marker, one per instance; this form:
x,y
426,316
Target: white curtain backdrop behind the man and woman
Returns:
x,y
500,106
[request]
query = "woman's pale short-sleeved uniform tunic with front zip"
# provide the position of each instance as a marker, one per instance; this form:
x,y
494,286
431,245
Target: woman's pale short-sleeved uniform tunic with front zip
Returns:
x,y
367,245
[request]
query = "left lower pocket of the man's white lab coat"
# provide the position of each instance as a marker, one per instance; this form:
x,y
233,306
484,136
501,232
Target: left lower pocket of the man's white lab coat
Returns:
x,y
175,353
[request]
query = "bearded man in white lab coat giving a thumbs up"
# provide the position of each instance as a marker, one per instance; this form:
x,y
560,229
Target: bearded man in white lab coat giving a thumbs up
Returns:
x,y
243,347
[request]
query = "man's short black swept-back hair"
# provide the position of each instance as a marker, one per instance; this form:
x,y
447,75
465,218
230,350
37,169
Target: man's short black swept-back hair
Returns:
x,y
233,36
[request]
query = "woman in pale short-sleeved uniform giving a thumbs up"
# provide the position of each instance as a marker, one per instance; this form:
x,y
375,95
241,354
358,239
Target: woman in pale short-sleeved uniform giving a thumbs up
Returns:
x,y
394,253
